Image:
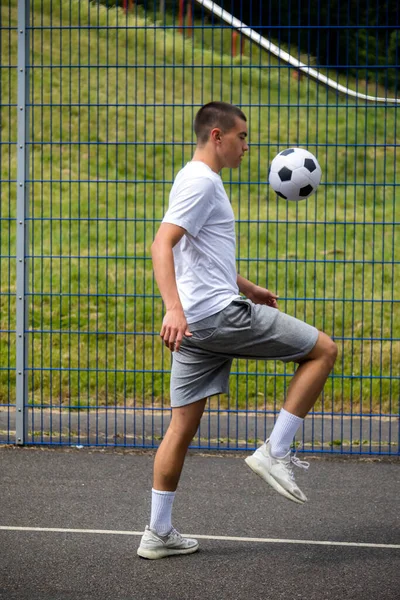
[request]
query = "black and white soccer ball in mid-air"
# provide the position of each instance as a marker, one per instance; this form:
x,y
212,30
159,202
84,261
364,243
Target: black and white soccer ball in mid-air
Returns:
x,y
294,174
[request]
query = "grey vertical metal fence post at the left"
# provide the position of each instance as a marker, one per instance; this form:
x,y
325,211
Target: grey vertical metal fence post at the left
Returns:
x,y
22,232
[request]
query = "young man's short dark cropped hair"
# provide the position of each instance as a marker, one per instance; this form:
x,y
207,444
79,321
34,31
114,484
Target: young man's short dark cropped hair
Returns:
x,y
215,114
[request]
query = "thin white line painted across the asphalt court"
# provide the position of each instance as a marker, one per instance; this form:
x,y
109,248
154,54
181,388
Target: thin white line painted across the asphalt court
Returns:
x,y
223,538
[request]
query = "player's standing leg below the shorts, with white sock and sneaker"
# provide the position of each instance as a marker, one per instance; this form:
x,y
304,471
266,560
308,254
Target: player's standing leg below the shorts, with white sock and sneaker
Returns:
x,y
161,539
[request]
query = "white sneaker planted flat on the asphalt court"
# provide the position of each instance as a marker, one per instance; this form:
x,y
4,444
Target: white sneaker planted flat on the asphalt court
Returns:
x,y
154,546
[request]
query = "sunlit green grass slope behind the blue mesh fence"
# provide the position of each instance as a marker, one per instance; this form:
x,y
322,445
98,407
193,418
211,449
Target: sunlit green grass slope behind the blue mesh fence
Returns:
x,y
324,256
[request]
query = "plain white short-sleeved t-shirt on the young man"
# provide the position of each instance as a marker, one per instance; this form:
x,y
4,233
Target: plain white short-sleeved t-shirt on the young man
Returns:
x,y
205,258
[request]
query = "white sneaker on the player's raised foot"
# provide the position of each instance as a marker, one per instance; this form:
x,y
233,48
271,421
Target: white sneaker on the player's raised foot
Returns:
x,y
278,472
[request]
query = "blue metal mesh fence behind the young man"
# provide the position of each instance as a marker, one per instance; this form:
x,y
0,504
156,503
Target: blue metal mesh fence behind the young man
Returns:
x,y
110,97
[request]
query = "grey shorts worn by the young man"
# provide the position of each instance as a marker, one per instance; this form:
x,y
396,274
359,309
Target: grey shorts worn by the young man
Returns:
x,y
242,330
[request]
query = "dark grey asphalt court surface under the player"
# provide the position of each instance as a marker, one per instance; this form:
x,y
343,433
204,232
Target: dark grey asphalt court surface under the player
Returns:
x,y
71,520
